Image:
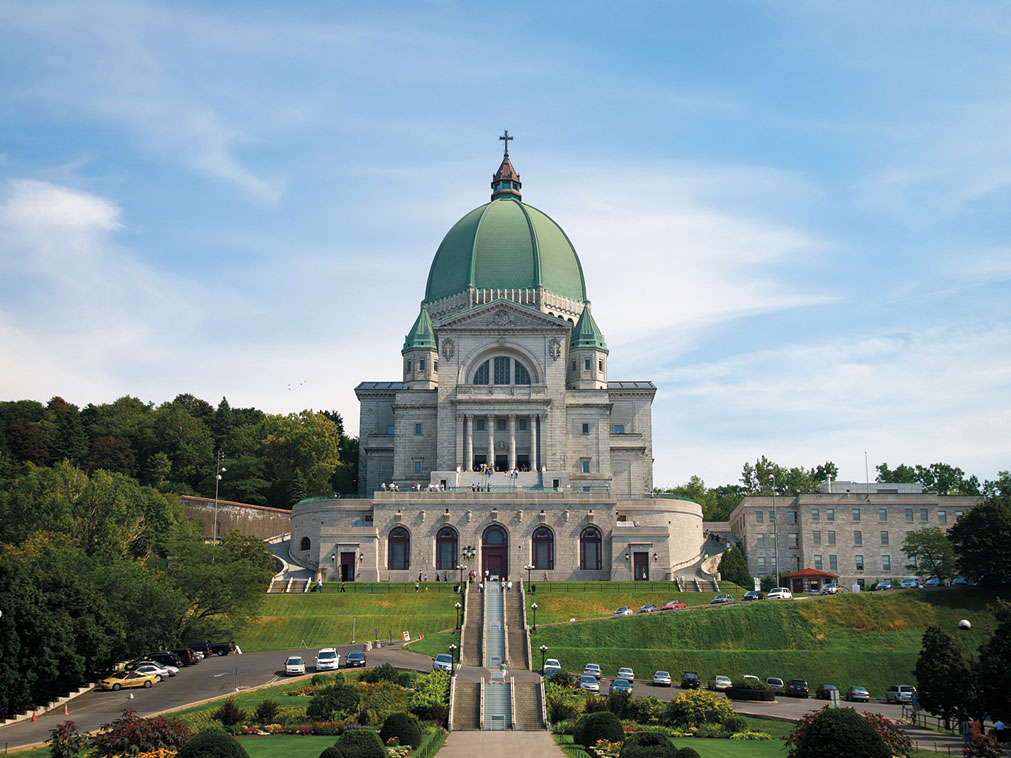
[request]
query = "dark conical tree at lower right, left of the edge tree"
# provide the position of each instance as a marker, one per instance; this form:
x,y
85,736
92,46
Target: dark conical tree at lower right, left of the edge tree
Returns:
x,y
945,680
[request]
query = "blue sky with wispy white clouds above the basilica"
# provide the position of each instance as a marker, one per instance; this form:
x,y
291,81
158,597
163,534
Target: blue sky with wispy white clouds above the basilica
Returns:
x,y
792,218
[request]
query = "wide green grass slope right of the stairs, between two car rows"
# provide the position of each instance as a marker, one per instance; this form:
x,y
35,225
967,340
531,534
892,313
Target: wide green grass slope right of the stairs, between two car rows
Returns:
x,y
869,640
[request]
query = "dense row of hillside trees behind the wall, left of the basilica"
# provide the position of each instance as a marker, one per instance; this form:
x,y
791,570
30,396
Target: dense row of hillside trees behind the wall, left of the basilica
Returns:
x,y
269,459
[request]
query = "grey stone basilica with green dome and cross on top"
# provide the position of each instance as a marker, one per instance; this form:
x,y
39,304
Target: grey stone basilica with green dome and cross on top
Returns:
x,y
504,447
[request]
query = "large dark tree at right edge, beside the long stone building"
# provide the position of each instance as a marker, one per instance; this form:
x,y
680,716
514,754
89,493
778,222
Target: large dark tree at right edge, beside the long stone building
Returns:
x,y
982,540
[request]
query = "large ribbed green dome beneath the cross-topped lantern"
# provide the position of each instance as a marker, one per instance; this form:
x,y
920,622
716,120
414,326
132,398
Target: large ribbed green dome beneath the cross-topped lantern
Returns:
x,y
506,245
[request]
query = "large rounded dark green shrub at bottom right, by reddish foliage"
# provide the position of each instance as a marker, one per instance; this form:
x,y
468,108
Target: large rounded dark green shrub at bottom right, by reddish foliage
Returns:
x,y
837,732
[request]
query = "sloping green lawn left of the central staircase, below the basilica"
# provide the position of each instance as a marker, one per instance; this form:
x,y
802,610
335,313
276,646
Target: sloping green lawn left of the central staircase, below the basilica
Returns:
x,y
333,618
